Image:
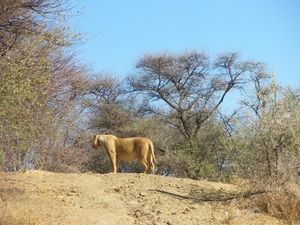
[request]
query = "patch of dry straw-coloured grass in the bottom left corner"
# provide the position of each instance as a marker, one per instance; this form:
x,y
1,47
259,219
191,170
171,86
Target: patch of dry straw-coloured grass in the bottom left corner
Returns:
x,y
22,207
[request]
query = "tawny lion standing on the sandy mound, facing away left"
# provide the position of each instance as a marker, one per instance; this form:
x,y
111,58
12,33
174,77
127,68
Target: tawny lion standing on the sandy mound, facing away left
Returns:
x,y
126,149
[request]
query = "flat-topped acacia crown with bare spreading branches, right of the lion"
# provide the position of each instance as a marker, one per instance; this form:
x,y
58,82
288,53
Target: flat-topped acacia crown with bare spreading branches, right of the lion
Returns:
x,y
189,85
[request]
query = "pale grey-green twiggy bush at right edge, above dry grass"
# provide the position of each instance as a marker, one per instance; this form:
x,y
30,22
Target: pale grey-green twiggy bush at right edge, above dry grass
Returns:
x,y
267,141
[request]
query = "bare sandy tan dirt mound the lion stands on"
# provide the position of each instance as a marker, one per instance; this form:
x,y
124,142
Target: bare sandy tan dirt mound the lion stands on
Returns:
x,y
86,198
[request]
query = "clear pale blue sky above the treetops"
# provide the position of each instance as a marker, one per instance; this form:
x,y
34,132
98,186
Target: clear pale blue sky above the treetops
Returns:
x,y
119,31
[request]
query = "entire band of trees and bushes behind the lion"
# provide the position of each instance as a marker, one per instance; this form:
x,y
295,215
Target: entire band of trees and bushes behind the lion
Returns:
x,y
51,104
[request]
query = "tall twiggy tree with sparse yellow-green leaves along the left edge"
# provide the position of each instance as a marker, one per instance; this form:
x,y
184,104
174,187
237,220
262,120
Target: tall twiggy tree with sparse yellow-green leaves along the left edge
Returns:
x,y
39,81
